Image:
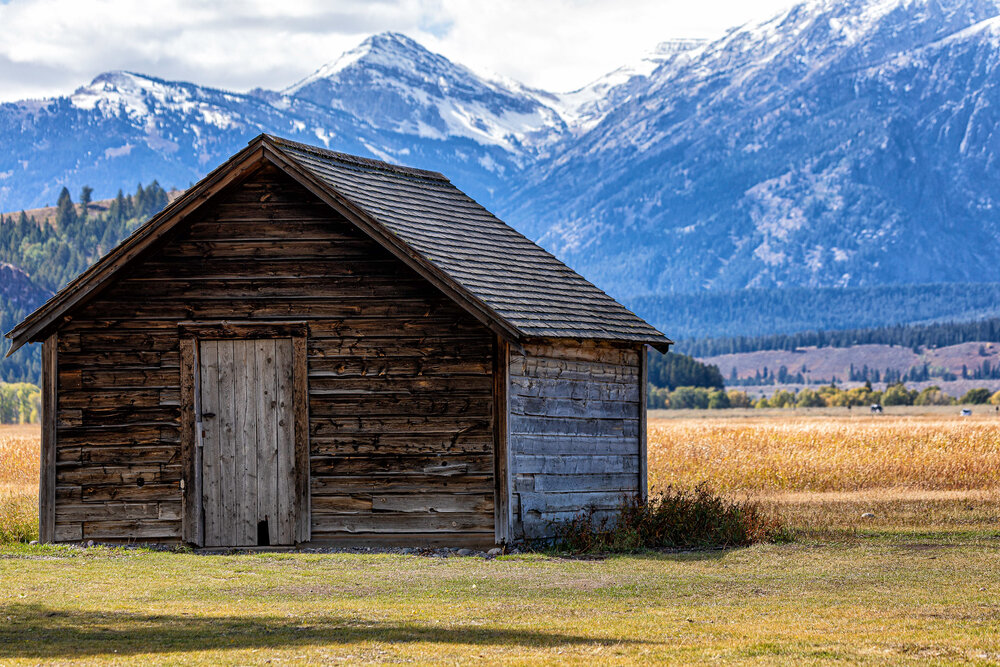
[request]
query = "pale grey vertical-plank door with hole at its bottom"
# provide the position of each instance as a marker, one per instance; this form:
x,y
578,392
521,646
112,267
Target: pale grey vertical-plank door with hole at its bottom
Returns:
x,y
247,441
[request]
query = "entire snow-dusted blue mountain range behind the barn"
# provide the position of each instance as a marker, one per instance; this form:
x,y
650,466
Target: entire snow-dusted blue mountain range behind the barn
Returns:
x,y
840,143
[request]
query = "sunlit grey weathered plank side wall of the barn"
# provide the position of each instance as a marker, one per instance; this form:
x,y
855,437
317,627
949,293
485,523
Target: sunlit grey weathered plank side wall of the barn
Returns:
x,y
575,412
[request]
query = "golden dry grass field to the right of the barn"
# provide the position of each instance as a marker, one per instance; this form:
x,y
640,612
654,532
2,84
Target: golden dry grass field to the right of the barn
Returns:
x,y
825,472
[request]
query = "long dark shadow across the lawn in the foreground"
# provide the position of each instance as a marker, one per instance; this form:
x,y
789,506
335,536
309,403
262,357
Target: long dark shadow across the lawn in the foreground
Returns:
x,y
40,632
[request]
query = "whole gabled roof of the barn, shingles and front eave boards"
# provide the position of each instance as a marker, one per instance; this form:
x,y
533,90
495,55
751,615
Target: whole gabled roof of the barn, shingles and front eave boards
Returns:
x,y
498,275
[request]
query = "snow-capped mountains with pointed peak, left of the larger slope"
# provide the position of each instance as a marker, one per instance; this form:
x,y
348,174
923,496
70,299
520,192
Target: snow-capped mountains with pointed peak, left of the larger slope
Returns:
x,y
390,99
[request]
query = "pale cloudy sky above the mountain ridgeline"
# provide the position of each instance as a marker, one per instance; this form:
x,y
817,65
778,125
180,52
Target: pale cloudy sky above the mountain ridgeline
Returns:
x,y
50,47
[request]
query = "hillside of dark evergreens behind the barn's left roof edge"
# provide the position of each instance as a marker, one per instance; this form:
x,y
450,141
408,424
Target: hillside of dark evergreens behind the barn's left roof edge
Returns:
x,y
39,256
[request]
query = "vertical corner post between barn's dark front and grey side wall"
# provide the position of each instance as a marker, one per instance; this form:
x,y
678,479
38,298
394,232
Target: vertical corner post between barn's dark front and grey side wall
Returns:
x,y
501,445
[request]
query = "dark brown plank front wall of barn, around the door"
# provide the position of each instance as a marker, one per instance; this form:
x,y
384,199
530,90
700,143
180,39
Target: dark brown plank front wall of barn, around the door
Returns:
x,y
400,379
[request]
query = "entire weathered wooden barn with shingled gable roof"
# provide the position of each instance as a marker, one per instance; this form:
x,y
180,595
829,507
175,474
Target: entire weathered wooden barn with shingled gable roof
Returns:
x,y
311,347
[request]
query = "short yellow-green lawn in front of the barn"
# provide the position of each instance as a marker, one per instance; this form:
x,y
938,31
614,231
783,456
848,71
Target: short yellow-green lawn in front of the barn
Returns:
x,y
877,599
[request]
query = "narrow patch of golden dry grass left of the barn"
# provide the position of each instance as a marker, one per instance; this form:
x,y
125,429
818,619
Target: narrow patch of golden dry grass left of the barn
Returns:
x,y
18,483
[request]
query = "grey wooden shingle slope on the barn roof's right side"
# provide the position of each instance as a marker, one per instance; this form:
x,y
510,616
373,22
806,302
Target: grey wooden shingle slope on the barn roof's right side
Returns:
x,y
522,283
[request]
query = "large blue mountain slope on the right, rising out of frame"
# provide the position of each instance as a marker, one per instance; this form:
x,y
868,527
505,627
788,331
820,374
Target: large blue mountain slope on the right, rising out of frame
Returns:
x,y
840,143
